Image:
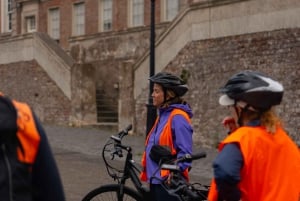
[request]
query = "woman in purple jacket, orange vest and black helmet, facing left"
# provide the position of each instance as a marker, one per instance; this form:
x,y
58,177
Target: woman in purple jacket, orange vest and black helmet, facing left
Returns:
x,y
172,129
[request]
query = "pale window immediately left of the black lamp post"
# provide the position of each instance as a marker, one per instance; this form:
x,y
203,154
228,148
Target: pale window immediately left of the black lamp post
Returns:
x,y
136,12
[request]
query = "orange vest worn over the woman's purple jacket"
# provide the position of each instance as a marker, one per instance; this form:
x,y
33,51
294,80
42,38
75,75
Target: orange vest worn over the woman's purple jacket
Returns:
x,y
165,139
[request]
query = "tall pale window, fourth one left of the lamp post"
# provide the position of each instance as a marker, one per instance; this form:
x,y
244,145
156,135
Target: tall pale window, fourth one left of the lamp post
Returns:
x,y
54,23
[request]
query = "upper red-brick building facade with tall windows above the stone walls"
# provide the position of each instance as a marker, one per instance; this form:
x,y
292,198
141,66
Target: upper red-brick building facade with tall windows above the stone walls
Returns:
x,y
63,19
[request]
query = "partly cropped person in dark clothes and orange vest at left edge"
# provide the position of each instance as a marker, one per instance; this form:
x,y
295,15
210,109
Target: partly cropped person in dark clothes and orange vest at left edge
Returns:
x,y
28,169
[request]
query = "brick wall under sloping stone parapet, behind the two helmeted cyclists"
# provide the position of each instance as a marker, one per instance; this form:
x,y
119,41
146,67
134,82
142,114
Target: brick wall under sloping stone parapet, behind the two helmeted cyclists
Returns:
x,y
211,62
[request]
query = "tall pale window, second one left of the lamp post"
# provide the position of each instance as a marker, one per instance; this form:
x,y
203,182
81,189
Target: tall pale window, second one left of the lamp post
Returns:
x,y
106,10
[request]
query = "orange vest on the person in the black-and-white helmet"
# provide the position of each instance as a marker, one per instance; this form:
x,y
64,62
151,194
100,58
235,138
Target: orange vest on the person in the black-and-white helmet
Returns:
x,y
271,169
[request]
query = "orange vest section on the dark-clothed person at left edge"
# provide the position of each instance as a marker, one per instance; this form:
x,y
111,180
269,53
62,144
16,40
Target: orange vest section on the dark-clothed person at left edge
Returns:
x,y
27,133
